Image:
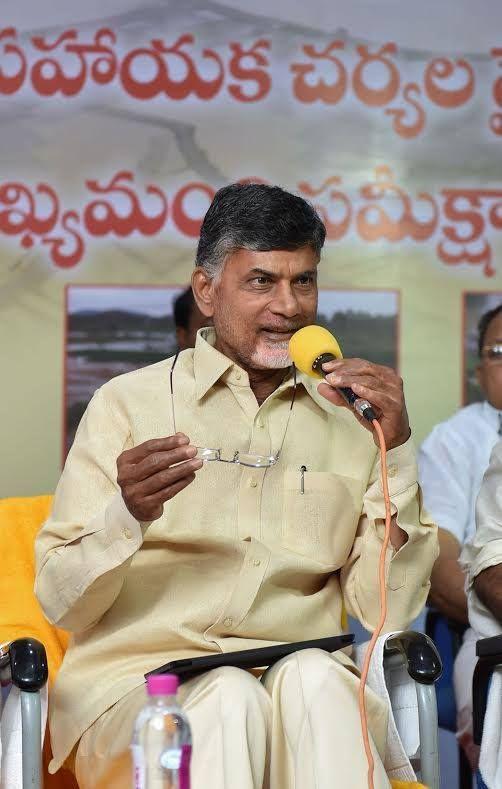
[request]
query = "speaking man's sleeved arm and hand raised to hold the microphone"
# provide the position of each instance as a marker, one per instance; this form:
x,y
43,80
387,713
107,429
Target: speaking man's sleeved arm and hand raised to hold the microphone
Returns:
x,y
414,545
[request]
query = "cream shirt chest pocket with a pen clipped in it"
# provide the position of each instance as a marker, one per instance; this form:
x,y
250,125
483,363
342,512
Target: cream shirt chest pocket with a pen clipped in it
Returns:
x,y
321,522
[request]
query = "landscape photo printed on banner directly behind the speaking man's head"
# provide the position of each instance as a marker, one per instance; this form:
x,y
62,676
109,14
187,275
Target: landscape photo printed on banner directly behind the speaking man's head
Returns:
x,y
113,329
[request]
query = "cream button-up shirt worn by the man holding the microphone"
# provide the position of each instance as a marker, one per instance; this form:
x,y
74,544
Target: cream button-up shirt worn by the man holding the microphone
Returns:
x,y
240,558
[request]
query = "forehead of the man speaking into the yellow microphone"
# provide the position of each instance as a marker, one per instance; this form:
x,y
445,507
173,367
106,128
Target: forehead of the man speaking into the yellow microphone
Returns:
x,y
281,262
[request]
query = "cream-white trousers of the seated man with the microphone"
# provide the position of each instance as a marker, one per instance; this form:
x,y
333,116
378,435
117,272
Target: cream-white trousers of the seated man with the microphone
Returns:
x,y
297,728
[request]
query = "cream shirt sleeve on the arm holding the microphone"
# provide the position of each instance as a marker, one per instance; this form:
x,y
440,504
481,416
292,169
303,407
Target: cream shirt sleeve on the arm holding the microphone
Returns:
x,y
409,568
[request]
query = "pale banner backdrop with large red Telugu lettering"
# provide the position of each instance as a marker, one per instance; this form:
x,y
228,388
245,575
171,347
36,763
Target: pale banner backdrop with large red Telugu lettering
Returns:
x,y
119,121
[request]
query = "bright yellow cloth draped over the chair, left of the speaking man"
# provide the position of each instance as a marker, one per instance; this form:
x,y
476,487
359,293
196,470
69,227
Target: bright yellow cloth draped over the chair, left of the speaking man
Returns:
x,y
20,612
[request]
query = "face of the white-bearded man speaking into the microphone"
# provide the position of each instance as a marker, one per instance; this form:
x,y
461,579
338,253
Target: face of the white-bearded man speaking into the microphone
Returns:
x,y
257,303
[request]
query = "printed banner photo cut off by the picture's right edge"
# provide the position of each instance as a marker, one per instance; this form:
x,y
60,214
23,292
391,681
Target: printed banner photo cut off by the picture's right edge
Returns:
x,y
475,305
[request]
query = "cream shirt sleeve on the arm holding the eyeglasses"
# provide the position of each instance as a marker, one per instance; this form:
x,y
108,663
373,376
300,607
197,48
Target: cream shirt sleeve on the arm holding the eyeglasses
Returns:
x,y
85,547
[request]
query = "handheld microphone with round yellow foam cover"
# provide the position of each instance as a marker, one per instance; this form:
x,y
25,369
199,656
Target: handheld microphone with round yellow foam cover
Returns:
x,y
310,348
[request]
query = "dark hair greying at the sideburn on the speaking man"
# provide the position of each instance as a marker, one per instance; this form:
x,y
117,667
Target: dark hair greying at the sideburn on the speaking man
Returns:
x,y
259,218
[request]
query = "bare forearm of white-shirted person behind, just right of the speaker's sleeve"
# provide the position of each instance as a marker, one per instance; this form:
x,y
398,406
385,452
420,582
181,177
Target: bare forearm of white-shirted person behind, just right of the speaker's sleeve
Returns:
x,y
447,593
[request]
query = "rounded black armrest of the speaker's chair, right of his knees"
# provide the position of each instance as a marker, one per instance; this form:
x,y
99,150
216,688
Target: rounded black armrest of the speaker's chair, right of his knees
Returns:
x,y
419,651
